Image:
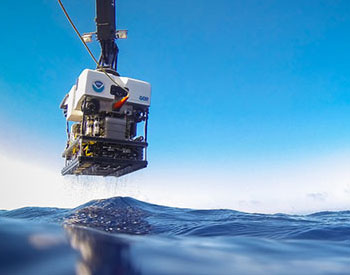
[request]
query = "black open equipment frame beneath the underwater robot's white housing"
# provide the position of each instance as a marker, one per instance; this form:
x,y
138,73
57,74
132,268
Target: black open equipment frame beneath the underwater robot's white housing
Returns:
x,y
115,150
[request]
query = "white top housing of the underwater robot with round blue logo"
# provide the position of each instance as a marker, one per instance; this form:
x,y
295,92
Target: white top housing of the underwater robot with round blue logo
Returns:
x,y
98,85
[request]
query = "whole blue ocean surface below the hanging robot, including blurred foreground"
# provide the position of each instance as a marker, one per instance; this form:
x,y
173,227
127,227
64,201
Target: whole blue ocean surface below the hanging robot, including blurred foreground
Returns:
x,y
122,235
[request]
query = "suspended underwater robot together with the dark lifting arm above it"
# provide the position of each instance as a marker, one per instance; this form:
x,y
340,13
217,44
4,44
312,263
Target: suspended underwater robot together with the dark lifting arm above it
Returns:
x,y
106,114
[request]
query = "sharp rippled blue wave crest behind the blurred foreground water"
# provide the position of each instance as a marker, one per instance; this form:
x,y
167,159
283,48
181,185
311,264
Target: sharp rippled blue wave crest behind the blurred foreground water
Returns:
x,y
131,216
